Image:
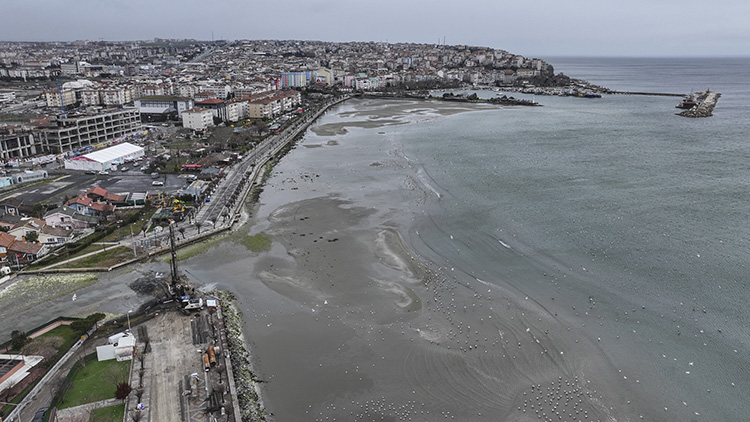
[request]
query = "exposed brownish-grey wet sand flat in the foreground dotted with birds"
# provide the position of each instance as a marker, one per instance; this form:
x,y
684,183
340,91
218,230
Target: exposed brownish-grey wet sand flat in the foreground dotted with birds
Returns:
x,y
367,331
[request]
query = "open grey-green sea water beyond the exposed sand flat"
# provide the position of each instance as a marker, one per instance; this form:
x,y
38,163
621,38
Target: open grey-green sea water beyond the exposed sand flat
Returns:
x,y
640,210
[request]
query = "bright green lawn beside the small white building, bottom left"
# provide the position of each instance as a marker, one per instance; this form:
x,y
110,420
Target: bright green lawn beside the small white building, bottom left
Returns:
x,y
94,381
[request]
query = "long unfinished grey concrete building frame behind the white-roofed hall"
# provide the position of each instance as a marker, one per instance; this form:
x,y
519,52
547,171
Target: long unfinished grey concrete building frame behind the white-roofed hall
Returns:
x,y
74,133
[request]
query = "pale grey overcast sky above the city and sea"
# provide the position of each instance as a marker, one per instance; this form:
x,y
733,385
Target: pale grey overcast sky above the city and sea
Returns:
x,y
534,29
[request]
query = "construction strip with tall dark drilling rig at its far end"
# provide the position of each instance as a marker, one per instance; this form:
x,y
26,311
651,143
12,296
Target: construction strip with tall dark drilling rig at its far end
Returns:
x,y
183,369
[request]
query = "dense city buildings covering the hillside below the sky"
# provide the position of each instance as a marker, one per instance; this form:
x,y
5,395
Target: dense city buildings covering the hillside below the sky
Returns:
x,y
50,86
